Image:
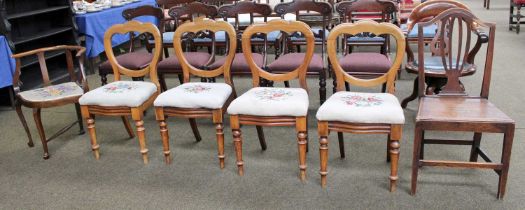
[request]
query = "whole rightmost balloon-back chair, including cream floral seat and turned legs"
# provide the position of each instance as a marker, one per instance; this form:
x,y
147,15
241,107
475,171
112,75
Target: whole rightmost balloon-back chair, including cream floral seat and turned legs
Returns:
x,y
363,113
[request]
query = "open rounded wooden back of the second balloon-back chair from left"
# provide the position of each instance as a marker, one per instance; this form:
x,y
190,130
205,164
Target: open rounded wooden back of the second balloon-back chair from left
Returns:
x,y
205,25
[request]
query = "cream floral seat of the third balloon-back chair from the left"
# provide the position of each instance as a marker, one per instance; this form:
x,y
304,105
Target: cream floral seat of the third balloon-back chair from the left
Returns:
x,y
264,101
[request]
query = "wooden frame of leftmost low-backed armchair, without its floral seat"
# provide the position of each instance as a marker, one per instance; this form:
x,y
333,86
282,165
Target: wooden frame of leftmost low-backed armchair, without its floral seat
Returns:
x,y
37,106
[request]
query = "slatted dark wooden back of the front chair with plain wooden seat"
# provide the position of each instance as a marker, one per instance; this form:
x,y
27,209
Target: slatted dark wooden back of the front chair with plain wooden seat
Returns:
x,y
459,24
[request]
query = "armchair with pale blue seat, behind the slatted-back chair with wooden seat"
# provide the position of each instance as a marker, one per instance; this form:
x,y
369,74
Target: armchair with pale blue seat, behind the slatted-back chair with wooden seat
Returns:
x,y
435,74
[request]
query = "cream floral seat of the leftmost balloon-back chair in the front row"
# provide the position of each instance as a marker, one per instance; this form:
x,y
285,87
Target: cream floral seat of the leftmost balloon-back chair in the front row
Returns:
x,y
120,93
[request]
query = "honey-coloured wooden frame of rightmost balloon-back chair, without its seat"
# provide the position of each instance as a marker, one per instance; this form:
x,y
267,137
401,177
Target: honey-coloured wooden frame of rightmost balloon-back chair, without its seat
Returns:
x,y
394,131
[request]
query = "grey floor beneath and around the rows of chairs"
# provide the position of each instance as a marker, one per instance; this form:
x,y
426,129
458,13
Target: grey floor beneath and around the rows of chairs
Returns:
x,y
73,179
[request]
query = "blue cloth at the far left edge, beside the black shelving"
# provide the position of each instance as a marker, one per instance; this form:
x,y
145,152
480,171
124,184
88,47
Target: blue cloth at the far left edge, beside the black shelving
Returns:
x,y
7,64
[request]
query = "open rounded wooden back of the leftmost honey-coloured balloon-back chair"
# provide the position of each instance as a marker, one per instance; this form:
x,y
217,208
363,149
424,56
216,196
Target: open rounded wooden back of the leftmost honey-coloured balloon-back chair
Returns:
x,y
141,28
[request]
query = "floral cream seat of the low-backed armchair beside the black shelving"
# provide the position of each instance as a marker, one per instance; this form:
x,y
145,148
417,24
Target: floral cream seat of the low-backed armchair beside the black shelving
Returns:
x,y
52,93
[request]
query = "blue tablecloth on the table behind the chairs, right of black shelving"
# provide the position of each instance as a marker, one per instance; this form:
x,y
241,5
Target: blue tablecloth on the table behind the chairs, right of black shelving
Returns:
x,y
94,25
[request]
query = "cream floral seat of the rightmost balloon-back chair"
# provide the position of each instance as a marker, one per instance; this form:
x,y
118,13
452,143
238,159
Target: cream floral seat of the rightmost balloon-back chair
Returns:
x,y
357,107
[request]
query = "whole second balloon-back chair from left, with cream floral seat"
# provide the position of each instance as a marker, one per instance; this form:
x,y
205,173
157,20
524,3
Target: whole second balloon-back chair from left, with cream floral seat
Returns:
x,y
197,99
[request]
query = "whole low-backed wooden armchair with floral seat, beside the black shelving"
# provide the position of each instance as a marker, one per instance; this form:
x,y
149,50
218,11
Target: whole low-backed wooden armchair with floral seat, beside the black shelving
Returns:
x,y
51,95
